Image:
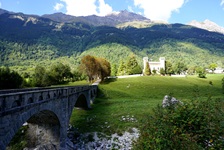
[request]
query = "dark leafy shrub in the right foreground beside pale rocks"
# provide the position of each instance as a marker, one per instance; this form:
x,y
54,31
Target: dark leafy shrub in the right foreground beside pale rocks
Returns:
x,y
192,125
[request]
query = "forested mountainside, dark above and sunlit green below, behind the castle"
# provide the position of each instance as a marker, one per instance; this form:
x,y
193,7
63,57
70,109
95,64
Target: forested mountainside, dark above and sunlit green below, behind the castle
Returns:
x,y
28,40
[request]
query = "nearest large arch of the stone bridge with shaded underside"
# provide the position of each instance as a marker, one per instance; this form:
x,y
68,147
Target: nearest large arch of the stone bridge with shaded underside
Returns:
x,y
44,127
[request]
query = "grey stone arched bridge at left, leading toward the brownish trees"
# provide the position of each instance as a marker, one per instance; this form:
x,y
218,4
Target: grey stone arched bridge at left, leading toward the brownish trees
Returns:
x,y
46,110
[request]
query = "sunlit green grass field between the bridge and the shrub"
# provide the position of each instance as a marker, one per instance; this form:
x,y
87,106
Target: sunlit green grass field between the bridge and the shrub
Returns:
x,y
123,103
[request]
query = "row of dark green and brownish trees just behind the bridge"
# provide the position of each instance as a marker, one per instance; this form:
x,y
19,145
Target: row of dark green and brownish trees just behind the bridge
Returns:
x,y
90,68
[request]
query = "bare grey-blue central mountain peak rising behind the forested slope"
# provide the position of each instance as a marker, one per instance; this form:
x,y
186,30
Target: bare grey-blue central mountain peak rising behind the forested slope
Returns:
x,y
108,20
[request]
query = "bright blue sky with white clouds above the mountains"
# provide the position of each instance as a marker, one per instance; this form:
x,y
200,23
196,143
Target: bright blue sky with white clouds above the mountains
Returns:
x,y
171,11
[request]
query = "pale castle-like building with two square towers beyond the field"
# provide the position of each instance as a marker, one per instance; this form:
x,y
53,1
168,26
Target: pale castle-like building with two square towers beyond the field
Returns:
x,y
154,65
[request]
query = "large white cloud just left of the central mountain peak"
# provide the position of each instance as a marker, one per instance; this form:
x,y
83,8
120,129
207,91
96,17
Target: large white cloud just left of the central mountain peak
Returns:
x,y
87,7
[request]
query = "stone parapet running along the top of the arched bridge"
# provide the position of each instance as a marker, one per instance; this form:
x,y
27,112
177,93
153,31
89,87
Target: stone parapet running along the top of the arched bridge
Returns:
x,y
18,99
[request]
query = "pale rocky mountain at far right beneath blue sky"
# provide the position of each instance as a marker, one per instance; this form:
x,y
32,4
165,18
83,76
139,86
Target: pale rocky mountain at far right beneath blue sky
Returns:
x,y
207,25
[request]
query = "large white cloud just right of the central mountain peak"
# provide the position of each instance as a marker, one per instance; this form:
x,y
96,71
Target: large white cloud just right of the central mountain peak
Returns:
x,y
159,9
